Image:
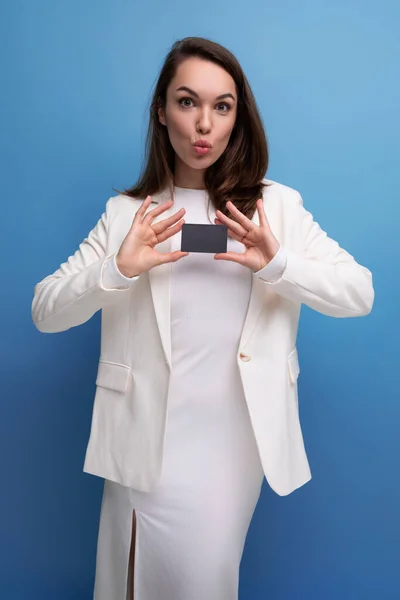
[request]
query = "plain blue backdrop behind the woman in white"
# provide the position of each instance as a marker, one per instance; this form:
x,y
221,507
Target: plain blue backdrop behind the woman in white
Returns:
x,y
76,85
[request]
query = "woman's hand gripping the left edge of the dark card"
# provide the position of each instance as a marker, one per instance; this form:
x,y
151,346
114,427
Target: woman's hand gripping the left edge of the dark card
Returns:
x,y
137,253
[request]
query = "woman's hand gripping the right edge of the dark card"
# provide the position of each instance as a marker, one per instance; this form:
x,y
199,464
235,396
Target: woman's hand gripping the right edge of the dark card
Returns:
x,y
261,244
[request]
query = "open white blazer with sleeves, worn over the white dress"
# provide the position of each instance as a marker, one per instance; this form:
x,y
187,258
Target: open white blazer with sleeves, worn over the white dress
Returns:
x,y
131,400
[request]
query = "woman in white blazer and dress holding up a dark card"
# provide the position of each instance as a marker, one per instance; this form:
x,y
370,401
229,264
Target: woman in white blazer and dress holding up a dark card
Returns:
x,y
196,394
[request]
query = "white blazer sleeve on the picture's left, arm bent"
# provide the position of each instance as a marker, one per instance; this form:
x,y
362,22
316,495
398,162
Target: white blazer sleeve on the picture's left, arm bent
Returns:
x,y
79,287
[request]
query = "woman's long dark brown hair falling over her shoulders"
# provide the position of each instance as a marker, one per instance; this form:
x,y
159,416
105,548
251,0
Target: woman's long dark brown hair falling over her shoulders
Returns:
x,y
237,174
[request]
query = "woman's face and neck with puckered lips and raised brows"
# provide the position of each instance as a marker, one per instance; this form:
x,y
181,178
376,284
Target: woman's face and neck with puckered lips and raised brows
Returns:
x,y
198,112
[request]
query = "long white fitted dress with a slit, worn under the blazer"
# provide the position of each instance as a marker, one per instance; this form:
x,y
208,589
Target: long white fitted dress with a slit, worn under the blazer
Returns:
x,y
191,530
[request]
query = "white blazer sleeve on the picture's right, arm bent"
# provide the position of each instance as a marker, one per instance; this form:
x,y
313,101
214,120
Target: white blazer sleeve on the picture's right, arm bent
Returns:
x,y
325,277
